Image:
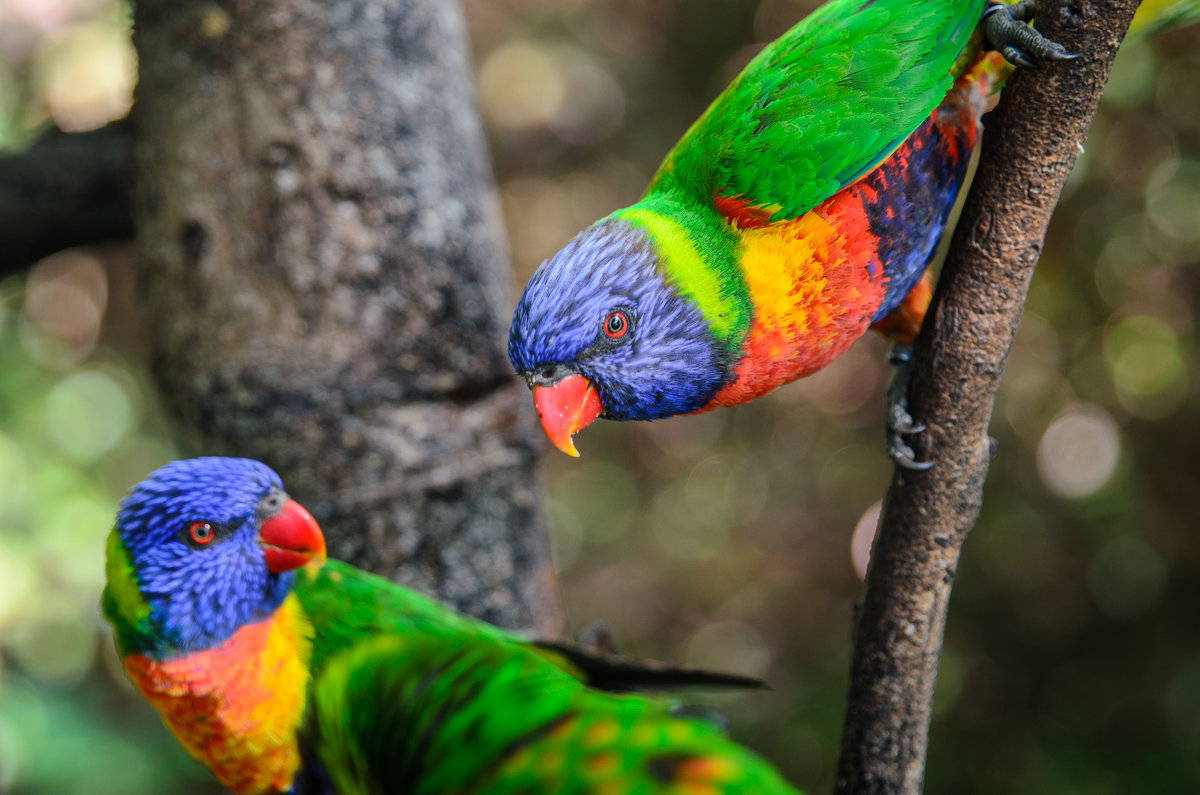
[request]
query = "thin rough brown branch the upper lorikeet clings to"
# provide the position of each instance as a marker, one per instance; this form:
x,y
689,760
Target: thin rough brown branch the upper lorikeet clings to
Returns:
x,y
1033,141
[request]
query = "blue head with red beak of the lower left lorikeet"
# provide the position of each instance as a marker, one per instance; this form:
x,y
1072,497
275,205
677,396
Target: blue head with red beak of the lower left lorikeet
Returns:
x,y
202,548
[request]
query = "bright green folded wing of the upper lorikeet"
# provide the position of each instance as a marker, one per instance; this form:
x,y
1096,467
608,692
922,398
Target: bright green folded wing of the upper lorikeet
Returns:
x,y
823,105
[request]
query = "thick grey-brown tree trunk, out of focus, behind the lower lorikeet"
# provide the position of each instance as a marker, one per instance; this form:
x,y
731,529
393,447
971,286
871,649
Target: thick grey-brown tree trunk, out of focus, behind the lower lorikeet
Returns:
x,y
326,279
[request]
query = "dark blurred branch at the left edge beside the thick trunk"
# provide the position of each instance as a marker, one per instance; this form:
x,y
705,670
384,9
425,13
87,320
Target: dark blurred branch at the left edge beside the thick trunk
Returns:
x,y
67,190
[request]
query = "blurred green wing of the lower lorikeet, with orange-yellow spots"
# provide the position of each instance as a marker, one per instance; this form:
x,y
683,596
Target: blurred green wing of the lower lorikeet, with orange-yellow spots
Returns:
x,y
421,715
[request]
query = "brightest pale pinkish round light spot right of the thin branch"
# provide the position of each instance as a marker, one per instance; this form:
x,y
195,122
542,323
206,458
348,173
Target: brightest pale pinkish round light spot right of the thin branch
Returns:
x,y
1079,451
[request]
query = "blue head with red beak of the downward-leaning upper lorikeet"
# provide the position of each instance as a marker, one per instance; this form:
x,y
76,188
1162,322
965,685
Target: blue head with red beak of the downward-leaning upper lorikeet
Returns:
x,y
601,332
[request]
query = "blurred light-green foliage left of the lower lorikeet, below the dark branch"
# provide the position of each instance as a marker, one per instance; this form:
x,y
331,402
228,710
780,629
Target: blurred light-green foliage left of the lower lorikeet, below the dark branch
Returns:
x,y
79,425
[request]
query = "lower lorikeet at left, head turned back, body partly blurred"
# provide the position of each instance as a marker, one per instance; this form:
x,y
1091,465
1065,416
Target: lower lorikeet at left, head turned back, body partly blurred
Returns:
x,y
284,673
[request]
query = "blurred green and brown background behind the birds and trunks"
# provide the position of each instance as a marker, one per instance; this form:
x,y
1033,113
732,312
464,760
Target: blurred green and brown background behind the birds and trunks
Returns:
x,y
734,540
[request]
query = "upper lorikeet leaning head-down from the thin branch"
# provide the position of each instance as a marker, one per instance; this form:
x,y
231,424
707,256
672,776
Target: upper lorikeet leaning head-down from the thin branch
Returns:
x,y
800,211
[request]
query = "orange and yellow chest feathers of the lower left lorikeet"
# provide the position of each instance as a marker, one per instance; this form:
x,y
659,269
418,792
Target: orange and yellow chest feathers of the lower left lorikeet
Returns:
x,y
237,708
